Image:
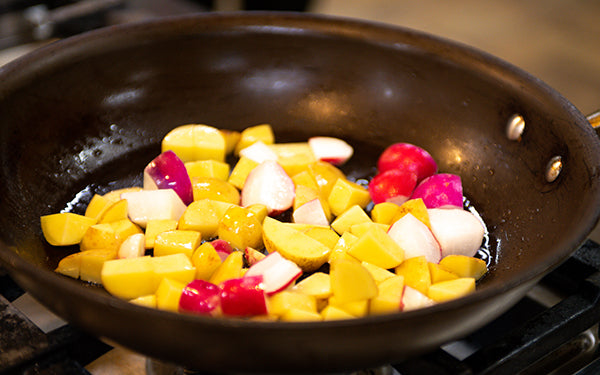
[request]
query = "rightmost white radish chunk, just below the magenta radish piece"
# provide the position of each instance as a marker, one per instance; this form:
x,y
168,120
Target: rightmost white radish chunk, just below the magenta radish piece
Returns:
x,y
458,231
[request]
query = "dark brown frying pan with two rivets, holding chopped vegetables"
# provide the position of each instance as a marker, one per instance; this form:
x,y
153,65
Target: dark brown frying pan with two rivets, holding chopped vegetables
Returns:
x,y
85,114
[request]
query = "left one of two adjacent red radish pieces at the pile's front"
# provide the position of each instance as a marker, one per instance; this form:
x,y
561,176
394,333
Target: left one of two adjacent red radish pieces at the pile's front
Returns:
x,y
200,297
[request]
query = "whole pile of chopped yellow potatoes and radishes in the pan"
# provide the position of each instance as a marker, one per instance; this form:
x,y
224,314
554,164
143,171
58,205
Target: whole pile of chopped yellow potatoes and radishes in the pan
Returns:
x,y
202,237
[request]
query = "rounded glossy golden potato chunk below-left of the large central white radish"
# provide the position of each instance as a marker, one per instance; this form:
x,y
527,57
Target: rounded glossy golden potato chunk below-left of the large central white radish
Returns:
x,y
240,228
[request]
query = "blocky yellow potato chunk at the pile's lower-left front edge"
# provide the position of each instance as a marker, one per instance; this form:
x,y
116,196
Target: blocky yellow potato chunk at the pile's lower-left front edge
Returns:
x,y
129,278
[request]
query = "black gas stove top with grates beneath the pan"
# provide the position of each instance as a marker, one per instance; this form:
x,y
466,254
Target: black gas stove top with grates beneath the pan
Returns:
x,y
553,330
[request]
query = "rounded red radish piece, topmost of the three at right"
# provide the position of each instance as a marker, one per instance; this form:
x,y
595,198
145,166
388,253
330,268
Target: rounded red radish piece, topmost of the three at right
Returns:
x,y
408,157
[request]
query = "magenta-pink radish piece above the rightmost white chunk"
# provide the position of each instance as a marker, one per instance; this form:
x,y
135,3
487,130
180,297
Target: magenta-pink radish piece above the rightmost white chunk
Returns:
x,y
443,190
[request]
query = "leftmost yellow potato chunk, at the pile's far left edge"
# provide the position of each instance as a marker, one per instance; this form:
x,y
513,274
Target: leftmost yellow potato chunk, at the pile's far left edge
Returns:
x,y
65,228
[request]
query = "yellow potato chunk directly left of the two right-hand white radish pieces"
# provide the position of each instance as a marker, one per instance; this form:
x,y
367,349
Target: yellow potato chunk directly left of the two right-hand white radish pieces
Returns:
x,y
377,248
